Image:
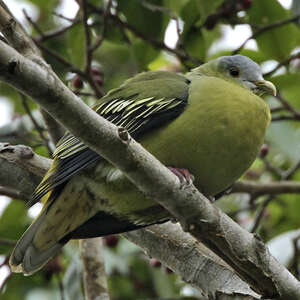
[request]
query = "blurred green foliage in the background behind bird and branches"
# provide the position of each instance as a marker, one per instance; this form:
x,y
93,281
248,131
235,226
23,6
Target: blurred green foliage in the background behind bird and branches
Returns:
x,y
131,40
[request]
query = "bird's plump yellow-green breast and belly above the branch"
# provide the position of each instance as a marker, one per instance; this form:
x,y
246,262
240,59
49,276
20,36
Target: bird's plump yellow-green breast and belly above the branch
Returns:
x,y
217,145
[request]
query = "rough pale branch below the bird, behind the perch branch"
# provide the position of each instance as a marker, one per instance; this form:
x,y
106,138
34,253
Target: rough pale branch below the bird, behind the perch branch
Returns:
x,y
190,259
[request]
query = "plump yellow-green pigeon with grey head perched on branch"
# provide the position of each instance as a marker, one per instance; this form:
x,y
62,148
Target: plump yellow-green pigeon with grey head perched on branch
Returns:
x,y
206,125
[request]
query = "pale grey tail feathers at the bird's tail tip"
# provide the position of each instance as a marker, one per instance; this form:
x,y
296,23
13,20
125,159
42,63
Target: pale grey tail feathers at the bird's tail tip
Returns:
x,y
26,257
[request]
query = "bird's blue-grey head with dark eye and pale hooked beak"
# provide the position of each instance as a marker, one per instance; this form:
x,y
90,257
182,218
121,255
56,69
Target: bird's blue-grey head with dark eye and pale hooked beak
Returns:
x,y
246,72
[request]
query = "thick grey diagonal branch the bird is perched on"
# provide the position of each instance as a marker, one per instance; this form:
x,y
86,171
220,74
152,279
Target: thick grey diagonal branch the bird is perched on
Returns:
x,y
240,249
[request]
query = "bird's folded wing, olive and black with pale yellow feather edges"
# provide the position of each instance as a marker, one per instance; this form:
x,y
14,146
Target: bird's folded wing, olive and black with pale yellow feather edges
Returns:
x,y
145,102
